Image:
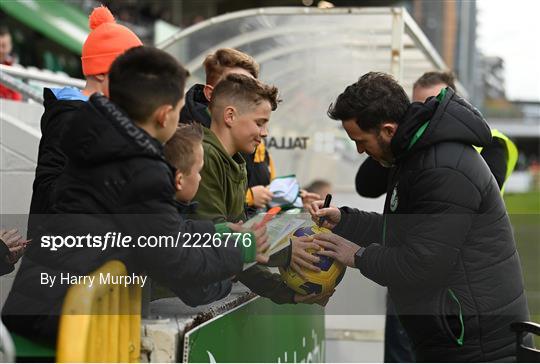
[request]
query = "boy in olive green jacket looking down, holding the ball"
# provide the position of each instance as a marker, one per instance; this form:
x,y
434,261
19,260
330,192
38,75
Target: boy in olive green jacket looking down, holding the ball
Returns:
x,y
240,110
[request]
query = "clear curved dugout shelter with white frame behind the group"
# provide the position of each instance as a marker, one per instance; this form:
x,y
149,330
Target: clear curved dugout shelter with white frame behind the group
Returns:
x,y
311,55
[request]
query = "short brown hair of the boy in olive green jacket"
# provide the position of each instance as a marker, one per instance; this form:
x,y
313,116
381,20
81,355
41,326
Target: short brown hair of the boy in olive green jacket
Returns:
x,y
244,89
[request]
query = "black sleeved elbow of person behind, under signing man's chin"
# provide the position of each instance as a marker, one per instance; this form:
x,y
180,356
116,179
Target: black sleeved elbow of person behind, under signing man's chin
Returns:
x,y
371,179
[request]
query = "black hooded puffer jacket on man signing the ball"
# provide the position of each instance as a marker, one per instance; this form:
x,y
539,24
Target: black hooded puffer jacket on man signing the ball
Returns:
x,y
444,246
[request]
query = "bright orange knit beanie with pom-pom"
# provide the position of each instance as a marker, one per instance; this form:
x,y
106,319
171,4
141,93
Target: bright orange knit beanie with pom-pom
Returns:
x,y
106,41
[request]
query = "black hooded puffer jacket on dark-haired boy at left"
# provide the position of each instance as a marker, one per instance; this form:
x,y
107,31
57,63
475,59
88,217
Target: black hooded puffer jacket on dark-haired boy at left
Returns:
x,y
116,180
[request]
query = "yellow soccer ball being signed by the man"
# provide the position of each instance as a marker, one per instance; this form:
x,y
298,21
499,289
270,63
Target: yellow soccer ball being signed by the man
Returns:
x,y
317,282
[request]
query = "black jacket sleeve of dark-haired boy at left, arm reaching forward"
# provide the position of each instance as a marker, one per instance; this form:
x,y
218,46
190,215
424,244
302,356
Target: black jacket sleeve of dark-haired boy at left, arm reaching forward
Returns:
x,y
180,266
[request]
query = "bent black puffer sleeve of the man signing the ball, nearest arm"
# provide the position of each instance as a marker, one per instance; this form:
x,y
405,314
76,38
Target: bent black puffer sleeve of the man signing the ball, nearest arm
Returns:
x,y
441,216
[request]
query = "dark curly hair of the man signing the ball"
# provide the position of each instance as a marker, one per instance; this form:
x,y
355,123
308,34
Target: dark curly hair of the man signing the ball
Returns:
x,y
376,97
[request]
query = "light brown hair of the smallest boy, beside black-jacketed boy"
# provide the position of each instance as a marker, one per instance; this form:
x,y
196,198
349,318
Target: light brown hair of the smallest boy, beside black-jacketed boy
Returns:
x,y
179,150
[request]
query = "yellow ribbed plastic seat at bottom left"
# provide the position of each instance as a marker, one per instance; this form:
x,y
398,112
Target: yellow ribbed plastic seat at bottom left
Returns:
x,y
101,323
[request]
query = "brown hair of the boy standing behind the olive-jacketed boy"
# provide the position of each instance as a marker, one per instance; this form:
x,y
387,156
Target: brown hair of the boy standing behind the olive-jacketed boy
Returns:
x,y
215,64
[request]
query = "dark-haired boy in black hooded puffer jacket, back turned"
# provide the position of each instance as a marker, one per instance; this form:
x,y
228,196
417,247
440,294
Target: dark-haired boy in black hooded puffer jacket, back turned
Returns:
x,y
117,180
